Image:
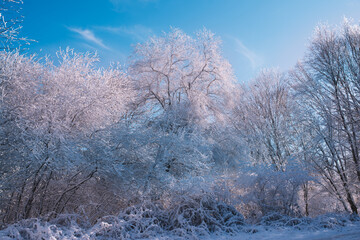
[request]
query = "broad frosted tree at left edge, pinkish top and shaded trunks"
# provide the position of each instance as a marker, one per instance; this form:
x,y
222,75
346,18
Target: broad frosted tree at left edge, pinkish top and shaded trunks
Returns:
x,y
54,110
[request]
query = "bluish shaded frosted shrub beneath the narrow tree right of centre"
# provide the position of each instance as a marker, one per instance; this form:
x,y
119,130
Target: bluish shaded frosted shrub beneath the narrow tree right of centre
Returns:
x,y
267,191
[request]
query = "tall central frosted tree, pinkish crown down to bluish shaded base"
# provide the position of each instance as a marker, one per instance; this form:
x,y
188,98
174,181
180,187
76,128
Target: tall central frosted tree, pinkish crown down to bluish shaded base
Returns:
x,y
185,86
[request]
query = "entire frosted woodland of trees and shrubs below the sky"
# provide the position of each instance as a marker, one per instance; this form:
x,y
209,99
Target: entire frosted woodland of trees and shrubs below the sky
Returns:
x,y
171,143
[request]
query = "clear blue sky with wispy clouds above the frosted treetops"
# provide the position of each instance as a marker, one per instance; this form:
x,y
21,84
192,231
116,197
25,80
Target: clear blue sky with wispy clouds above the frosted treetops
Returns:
x,y
256,34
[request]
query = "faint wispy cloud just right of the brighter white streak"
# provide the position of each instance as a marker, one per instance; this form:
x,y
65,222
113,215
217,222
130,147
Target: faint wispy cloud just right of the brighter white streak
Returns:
x,y
137,32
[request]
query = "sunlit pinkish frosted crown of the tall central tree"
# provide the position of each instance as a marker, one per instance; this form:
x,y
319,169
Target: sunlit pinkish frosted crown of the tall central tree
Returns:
x,y
176,69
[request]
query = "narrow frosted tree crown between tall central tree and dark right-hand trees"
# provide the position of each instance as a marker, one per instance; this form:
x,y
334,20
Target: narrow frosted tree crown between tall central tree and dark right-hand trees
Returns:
x,y
264,117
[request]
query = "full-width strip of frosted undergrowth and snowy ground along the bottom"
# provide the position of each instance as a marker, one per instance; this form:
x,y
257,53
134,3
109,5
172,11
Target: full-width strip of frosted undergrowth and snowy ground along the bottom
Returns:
x,y
190,218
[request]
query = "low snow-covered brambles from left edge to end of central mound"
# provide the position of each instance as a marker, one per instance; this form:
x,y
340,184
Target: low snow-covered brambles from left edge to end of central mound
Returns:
x,y
186,218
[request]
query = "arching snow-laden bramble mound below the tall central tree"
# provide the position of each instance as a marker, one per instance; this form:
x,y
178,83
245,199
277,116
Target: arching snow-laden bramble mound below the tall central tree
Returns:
x,y
191,216
